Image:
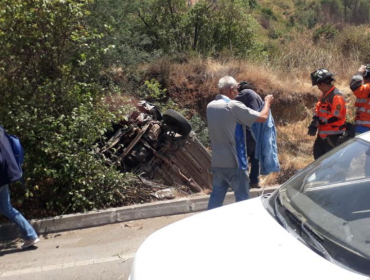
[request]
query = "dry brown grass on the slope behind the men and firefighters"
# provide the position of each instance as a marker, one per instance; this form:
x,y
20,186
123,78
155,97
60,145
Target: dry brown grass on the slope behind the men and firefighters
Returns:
x,y
193,84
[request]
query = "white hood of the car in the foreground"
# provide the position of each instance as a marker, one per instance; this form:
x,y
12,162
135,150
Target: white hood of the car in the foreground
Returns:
x,y
239,241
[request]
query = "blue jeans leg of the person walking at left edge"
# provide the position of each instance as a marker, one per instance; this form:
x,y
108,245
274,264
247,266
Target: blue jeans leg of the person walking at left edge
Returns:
x,y
26,230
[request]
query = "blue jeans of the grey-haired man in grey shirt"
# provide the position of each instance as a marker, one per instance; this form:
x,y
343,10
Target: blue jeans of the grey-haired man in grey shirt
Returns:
x,y
223,178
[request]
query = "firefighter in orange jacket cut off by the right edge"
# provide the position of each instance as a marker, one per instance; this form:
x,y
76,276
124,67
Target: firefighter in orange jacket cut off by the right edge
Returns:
x,y
360,85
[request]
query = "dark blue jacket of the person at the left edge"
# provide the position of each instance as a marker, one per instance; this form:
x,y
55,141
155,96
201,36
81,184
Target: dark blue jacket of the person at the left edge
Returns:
x,y
9,170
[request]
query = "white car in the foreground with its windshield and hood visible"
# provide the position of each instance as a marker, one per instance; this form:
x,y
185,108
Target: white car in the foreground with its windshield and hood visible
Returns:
x,y
315,226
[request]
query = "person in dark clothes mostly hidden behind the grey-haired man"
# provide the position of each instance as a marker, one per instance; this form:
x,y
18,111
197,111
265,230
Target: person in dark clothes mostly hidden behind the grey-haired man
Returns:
x,y
253,101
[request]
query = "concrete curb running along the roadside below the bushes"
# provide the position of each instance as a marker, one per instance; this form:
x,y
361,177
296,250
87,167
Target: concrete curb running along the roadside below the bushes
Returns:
x,y
122,214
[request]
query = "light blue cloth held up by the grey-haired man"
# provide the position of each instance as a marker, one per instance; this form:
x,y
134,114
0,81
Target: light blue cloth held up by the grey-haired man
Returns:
x,y
266,146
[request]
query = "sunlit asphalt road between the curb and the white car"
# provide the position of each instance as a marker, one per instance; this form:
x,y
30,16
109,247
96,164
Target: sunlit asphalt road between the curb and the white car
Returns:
x,y
100,253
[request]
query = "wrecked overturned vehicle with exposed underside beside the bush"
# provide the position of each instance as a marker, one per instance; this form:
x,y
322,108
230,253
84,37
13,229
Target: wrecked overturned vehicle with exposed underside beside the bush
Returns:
x,y
160,148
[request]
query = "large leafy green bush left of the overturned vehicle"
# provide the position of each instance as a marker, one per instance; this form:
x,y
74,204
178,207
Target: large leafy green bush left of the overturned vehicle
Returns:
x,y
50,64
